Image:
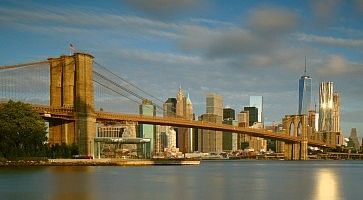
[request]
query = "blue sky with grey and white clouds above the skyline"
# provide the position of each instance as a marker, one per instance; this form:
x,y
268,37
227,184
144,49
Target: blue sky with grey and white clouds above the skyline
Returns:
x,y
234,48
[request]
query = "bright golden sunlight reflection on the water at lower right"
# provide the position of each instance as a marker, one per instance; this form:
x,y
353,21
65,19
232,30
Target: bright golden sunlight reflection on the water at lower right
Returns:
x,y
327,185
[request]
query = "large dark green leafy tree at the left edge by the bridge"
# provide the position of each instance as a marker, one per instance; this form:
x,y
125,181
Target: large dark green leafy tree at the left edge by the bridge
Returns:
x,y
22,131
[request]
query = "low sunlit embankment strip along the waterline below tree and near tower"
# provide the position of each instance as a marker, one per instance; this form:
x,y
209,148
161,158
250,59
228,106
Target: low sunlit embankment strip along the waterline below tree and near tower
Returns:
x,y
97,162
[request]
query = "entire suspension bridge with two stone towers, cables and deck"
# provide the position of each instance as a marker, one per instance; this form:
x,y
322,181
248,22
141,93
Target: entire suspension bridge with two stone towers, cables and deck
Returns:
x,y
74,92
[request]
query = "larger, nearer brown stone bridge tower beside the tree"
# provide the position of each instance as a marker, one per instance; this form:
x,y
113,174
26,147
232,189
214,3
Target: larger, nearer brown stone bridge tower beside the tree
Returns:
x,y
71,86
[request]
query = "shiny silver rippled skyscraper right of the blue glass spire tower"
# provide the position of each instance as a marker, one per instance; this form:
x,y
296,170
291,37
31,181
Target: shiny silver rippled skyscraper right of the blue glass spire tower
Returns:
x,y
326,106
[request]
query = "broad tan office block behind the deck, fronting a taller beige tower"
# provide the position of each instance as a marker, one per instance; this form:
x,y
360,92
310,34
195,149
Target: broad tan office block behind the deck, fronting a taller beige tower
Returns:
x,y
208,140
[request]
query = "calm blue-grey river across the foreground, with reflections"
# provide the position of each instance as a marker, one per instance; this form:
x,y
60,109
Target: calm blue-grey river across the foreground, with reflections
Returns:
x,y
240,179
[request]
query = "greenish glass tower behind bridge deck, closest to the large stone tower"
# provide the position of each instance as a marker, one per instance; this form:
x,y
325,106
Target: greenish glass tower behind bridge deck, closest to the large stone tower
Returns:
x,y
146,130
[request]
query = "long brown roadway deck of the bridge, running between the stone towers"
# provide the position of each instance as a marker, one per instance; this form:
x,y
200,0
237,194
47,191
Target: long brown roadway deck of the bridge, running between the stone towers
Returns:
x,y
48,112
